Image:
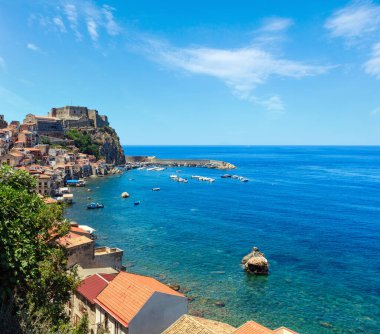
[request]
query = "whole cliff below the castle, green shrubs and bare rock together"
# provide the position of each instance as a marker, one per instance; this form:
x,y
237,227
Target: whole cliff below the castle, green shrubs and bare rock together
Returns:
x,y
101,142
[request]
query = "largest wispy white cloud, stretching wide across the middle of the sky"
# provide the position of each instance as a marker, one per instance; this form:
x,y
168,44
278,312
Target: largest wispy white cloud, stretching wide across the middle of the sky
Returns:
x,y
242,69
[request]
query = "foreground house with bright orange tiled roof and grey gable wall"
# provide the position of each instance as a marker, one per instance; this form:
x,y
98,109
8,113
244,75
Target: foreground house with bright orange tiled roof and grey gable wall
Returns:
x,y
137,304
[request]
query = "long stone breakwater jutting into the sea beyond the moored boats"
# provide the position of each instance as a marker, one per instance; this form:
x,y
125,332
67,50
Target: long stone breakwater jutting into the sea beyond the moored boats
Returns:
x,y
138,161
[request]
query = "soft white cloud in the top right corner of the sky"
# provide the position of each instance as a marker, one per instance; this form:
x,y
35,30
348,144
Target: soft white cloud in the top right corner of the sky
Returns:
x,y
354,21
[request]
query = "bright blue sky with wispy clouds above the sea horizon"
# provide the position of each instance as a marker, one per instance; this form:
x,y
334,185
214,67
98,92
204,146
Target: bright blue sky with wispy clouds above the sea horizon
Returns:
x,y
199,72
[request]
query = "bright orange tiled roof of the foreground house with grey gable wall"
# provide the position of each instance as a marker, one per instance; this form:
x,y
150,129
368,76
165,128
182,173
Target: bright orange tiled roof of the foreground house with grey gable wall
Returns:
x,y
126,295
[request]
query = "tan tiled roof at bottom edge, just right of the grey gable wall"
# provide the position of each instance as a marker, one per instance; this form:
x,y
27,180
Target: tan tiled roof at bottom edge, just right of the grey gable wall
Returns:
x,y
196,325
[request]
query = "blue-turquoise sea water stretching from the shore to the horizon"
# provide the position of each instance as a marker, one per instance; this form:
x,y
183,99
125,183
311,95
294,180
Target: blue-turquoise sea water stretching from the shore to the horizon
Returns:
x,y
313,211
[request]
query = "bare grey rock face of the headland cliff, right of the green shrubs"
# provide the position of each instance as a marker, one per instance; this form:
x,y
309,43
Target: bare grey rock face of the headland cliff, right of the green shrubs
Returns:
x,y
109,144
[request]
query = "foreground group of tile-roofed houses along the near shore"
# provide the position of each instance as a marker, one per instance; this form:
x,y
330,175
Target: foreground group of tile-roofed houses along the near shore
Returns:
x,y
117,302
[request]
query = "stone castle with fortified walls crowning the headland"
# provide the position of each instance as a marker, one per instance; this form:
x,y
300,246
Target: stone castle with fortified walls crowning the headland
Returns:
x,y
76,117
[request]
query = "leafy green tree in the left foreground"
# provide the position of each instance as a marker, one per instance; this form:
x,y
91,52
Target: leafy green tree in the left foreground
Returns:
x,y
33,268
